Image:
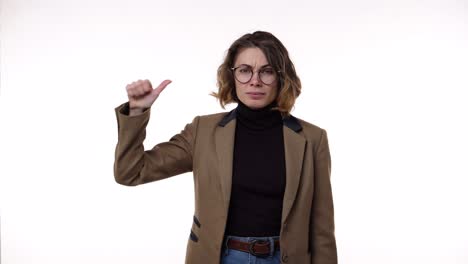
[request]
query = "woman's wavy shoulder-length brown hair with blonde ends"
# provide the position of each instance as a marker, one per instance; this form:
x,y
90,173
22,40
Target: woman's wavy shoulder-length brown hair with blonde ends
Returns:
x,y
289,84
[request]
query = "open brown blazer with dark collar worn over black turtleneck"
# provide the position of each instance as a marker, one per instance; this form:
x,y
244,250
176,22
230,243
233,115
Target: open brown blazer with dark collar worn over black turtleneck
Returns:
x,y
205,147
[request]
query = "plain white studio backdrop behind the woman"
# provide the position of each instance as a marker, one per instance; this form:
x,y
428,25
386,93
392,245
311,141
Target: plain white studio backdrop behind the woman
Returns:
x,y
386,79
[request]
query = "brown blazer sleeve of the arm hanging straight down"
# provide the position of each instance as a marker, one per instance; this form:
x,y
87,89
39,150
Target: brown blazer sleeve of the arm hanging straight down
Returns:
x,y
323,244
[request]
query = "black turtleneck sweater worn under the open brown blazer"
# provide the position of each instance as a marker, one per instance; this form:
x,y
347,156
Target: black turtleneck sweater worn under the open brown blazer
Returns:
x,y
259,173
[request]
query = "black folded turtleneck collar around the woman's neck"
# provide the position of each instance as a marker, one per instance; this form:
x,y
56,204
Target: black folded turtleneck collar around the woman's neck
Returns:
x,y
258,119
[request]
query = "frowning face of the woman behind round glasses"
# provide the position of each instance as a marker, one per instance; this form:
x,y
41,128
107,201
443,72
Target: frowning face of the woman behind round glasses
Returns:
x,y
255,94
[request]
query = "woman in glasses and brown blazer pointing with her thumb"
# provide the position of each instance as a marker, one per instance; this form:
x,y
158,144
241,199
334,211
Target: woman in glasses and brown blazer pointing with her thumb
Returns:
x,y
262,176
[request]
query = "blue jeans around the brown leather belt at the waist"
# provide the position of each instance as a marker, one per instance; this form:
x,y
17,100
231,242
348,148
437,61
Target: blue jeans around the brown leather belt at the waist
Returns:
x,y
232,256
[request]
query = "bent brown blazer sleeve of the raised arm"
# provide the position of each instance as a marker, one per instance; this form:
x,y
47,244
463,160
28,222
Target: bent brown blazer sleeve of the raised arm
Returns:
x,y
133,165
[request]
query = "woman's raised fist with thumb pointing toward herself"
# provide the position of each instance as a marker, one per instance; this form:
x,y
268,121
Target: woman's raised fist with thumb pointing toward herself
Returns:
x,y
141,95
